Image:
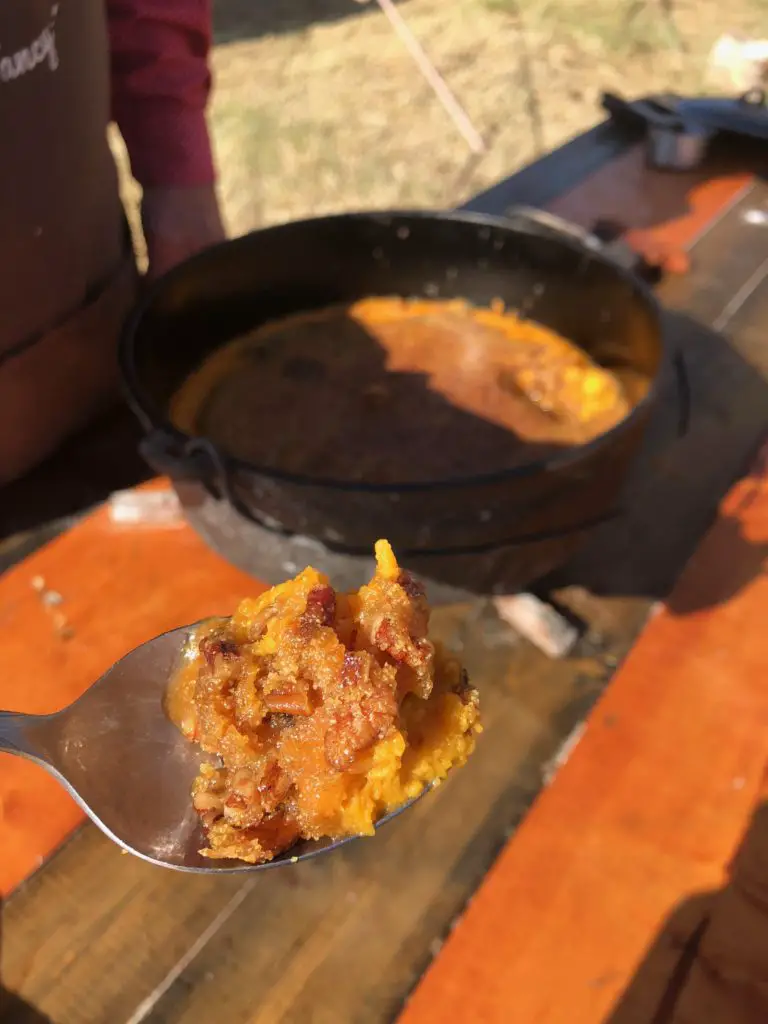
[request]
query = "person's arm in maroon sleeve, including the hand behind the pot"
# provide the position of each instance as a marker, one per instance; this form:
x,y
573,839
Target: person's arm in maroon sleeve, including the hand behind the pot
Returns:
x,y
161,83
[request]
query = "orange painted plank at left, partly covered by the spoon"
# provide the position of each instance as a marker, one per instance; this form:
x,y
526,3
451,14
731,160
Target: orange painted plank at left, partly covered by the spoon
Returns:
x,y
120,586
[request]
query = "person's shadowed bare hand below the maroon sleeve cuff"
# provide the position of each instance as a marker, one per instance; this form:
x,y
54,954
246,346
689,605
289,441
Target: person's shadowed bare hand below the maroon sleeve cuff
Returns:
x,y
179,223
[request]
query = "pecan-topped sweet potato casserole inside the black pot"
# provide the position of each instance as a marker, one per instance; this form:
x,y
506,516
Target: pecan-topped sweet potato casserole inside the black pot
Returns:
x,y
432,390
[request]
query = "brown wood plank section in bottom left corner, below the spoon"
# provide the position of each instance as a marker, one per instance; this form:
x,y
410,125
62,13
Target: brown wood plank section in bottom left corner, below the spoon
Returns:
x,y
95,931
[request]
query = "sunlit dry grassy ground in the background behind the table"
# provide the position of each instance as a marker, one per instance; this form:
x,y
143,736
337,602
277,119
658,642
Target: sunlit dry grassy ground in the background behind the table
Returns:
x,y
319,107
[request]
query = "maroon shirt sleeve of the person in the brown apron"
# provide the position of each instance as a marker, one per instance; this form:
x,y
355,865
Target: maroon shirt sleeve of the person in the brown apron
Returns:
x,y
161,82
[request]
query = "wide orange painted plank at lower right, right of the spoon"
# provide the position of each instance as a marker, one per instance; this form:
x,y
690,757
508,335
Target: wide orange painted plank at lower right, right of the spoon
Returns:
x,y
647,814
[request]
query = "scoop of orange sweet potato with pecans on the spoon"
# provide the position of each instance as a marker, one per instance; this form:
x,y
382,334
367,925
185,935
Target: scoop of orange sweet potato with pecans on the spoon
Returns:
x,y
324,711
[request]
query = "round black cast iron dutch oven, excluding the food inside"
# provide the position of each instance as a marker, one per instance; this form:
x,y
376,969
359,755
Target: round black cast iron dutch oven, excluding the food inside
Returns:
x,y
483,534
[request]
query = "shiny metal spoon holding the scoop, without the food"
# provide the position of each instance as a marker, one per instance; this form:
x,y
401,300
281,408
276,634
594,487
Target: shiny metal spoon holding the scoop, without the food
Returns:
x,y
131,769
